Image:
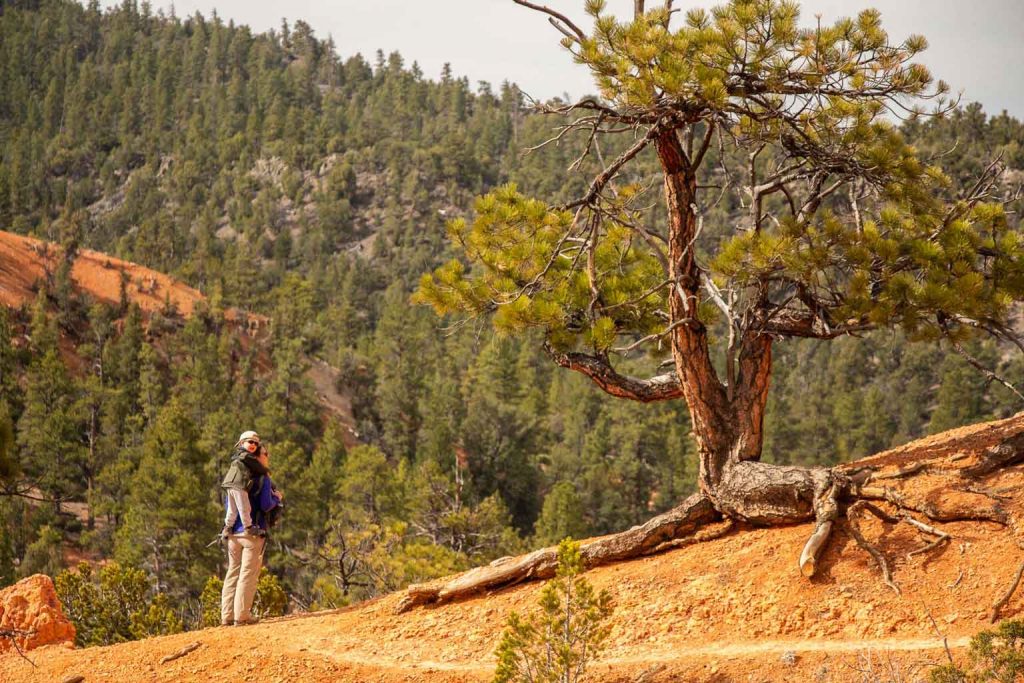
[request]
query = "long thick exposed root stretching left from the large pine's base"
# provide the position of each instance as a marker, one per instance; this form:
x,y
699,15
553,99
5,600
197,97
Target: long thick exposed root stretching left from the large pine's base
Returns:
x,y
679,523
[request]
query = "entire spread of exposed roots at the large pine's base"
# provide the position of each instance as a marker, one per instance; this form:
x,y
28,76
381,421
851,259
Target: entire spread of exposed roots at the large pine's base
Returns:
x,y
770,495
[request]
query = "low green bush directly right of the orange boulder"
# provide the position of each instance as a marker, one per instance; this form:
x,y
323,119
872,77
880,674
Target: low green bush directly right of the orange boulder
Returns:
x,y
115,606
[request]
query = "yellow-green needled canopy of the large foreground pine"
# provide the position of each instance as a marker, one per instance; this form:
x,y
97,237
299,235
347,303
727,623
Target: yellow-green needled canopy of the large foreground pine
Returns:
x,y
814,218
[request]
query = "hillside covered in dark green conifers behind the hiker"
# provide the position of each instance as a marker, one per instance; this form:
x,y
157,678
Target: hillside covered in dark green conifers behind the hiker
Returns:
x,y
277,177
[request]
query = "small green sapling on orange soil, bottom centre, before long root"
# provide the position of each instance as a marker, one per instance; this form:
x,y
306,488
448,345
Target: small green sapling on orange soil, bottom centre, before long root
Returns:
x,y
558,645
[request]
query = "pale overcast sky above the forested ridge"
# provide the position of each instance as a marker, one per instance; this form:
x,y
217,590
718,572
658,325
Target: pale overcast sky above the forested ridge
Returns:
x,y
976,47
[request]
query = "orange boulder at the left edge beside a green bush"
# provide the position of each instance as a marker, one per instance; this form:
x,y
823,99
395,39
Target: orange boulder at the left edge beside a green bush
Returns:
x,y
32,606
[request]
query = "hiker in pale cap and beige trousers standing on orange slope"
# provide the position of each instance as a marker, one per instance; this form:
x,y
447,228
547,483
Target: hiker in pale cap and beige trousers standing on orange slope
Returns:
x,y
246,544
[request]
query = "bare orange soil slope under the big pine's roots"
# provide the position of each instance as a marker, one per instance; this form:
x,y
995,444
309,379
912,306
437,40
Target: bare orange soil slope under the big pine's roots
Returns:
x,y
733,610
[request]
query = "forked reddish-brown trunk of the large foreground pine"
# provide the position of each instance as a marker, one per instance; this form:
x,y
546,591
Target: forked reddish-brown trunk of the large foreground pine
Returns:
x,y
729,417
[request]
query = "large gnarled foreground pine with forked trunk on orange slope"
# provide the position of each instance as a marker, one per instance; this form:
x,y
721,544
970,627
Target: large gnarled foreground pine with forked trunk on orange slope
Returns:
x,y
844,231
